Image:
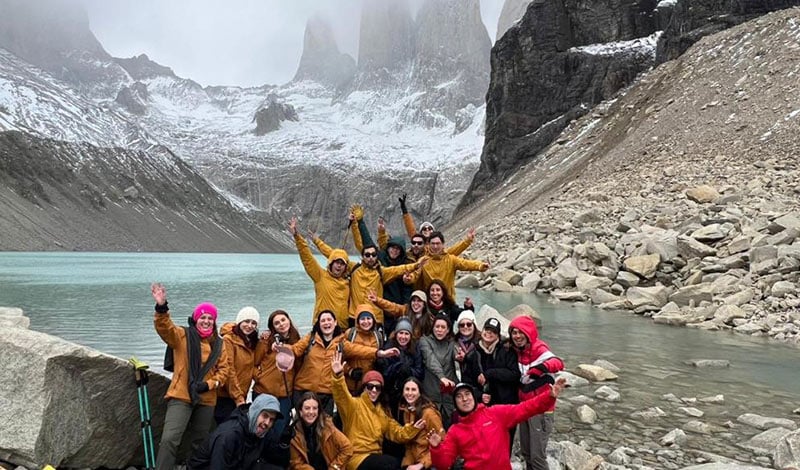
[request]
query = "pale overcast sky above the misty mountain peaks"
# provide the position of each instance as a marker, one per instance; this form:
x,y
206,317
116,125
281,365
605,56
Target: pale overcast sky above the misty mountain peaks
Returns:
x,y
246,42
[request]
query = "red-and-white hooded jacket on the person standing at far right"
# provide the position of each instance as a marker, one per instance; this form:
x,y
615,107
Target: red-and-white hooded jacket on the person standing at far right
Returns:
x,y
536,362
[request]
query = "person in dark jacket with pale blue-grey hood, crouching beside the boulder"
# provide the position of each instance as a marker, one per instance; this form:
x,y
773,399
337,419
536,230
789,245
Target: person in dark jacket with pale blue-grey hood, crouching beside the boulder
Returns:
x,y
240,442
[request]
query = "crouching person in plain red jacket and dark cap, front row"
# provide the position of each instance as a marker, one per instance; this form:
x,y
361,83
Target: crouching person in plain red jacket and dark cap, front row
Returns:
x,y
481,431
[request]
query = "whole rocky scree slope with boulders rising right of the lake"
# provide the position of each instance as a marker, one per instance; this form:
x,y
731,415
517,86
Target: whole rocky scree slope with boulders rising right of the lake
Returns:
x,y
678,199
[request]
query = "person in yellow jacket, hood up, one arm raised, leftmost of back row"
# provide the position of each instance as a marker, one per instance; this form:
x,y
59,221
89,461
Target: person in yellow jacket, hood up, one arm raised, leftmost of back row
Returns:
x,y
331,285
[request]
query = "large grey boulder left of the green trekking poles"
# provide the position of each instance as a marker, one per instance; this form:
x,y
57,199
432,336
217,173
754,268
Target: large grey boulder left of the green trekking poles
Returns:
x,y
70,406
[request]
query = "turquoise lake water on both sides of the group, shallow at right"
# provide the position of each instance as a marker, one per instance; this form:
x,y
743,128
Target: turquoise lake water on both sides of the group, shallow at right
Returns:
x,y
102,300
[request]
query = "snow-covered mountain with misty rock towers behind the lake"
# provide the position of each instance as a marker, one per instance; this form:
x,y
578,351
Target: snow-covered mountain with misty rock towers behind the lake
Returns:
x,y
408,119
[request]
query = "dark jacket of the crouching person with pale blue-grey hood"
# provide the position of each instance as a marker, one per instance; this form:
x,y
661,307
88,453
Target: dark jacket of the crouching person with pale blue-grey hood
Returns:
x,y
232,446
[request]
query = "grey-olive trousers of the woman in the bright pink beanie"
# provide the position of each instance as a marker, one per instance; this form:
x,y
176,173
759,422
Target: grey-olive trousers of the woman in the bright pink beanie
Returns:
x,y
182,422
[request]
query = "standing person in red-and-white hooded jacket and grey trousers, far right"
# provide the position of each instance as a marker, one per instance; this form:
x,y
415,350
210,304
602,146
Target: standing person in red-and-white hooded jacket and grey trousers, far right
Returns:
x,y
537,365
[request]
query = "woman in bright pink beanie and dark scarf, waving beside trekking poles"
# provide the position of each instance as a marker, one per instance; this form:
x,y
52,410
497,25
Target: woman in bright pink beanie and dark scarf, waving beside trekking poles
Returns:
x,y
201,367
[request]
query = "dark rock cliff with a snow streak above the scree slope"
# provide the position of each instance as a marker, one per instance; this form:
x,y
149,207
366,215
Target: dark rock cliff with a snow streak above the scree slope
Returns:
x,y
563,58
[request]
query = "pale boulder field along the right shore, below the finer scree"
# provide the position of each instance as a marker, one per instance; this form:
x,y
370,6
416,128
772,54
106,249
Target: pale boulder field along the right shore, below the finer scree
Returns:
x,y
715,257
